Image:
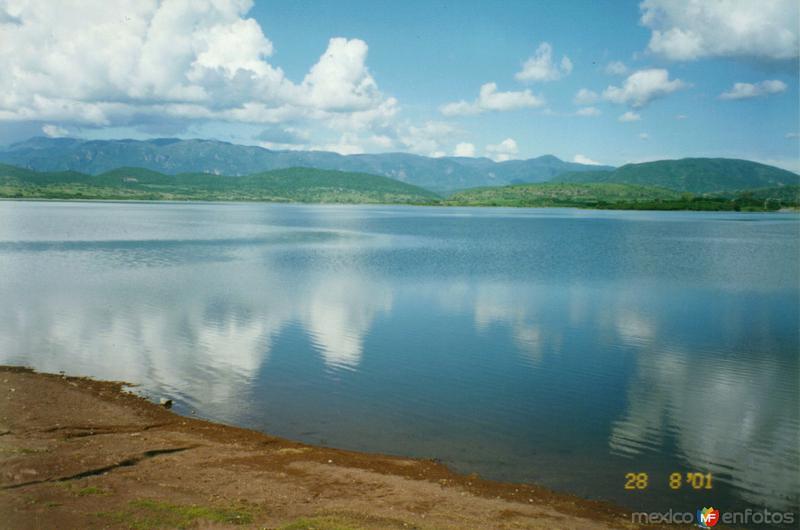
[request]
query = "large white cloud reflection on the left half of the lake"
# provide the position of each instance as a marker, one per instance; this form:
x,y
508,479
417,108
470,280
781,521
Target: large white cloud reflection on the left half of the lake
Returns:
x,y
202,334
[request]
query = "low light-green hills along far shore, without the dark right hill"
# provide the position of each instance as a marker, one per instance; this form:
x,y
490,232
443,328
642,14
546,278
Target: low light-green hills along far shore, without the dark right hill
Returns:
x,y
323,186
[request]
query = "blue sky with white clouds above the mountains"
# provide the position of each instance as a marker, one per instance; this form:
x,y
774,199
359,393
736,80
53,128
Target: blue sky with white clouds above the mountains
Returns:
x,y
606,82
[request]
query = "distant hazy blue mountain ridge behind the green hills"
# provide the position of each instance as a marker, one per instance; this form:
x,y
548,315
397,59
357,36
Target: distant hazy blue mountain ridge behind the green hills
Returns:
x,y
174,156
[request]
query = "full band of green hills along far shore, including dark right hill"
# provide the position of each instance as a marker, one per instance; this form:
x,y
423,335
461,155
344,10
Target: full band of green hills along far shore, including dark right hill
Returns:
x,y
692,184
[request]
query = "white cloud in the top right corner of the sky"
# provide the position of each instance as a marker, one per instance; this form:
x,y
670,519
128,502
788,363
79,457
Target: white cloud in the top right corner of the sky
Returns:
x,y
695,29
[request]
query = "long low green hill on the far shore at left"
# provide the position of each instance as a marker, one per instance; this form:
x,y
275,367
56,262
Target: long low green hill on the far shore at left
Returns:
x,y
285,185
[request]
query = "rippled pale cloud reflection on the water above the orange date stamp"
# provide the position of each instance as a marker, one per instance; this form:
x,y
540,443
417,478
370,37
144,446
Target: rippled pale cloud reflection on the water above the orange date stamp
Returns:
x,y
721,417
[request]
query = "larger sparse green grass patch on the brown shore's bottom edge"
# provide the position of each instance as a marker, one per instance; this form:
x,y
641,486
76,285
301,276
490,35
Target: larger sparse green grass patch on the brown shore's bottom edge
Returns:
x,y
146,513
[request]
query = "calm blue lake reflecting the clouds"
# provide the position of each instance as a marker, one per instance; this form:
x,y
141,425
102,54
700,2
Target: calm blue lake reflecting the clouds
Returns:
x,y
560,347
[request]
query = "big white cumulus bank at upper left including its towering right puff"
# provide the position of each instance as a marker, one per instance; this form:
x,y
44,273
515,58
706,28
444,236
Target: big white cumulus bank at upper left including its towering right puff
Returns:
x,y
101,63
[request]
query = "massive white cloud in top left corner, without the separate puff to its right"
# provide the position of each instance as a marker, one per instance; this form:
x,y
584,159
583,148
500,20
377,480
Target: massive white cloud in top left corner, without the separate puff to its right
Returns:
x,y
87,63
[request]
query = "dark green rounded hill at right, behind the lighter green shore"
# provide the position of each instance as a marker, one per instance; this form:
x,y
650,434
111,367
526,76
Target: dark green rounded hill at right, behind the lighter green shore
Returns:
x,y
695,175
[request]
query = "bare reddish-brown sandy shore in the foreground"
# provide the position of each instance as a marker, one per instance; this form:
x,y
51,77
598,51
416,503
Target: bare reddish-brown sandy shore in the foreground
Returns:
x,y
79,453
